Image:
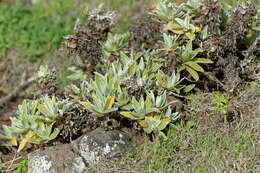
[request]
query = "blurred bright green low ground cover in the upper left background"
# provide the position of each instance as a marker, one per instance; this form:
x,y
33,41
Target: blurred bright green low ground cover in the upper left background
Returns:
x,y
34,31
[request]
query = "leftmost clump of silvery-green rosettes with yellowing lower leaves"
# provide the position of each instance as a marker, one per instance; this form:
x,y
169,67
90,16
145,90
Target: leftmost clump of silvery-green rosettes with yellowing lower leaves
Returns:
x,y
35,121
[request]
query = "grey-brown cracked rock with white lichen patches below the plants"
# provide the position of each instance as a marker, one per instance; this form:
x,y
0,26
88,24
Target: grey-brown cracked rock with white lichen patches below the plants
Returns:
x,y
77,156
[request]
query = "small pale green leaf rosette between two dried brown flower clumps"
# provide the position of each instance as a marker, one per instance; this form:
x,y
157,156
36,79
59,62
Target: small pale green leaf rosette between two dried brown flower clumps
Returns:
x,y
114,44
